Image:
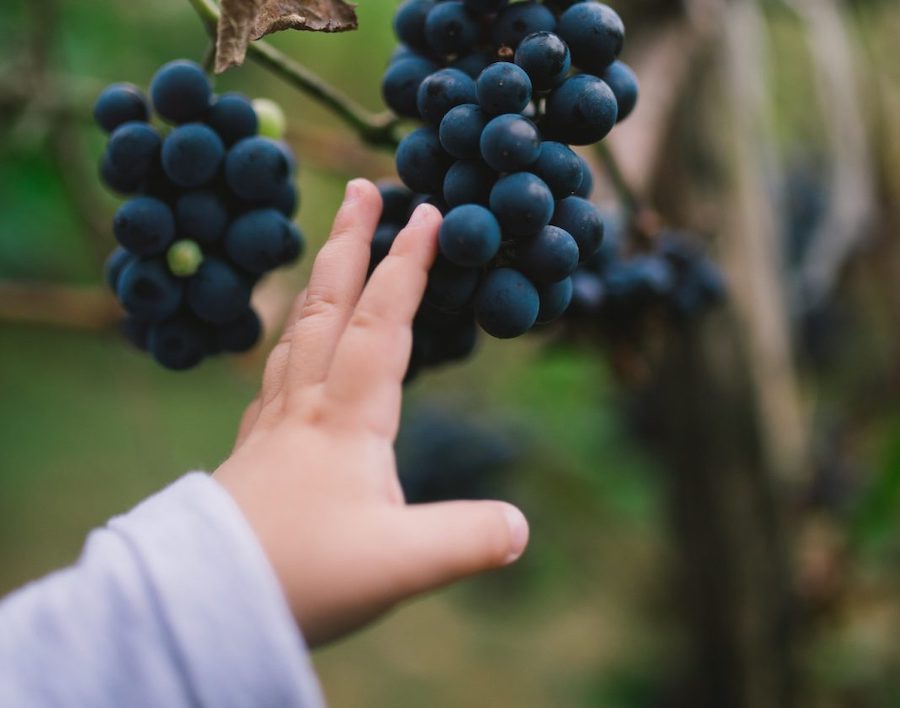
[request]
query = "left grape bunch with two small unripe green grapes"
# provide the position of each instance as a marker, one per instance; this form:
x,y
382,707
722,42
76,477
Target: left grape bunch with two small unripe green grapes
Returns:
x,y
211,197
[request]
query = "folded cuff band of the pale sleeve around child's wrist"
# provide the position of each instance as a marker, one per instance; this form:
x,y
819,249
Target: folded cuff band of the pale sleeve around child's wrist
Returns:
x,y
219,598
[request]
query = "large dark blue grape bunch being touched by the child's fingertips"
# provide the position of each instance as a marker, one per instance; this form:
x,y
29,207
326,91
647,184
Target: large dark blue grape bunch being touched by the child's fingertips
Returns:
x,y
503,90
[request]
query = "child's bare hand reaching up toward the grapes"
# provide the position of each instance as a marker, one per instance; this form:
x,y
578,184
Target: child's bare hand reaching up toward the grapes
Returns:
x,y
314,468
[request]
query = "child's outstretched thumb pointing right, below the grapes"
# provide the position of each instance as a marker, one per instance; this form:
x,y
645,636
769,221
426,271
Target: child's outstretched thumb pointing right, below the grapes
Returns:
x,y
452,540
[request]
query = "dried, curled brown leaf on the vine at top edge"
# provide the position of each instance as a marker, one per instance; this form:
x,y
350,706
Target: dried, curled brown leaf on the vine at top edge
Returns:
x,y
244,20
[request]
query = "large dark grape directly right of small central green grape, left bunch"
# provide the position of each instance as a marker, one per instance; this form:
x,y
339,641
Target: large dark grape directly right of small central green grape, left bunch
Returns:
x,y
260,240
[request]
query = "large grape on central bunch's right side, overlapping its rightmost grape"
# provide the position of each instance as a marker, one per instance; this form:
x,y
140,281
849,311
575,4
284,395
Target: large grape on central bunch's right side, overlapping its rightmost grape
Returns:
x,y
582,110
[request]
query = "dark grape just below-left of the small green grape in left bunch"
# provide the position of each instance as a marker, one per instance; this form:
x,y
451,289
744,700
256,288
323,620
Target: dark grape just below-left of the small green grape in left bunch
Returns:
x,y
148,290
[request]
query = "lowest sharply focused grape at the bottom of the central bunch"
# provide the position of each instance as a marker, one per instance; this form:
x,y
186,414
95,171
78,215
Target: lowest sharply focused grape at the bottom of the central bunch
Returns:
x,y
507,304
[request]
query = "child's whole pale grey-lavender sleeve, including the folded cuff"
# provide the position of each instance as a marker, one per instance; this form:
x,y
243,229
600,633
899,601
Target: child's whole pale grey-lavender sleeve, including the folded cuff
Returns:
x,y
173,604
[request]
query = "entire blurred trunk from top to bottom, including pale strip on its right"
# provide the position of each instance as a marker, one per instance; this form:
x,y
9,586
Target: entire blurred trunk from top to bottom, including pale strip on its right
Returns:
x,y
722,408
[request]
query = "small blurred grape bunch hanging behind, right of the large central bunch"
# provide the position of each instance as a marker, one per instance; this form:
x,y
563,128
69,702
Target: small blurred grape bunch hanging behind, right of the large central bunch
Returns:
x,y
673,275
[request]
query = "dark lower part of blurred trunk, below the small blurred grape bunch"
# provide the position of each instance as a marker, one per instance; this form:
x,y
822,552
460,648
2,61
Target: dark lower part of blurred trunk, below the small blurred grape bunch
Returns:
x,y
731,569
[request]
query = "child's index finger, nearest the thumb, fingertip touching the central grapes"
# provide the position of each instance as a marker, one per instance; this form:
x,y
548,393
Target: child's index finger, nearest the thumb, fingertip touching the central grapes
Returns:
x,y
371,359
